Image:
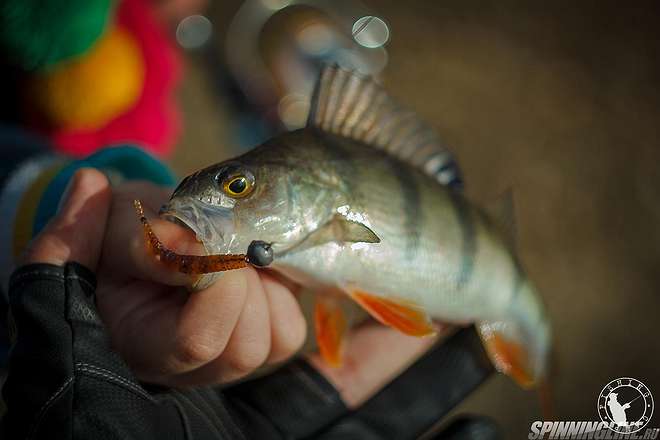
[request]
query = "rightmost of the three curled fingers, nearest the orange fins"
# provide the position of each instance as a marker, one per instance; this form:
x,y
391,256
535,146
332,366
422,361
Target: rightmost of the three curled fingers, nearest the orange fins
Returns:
x,y
288,328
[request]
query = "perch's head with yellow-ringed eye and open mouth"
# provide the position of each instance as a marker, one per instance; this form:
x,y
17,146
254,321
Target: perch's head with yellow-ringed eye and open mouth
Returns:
x,y
253,197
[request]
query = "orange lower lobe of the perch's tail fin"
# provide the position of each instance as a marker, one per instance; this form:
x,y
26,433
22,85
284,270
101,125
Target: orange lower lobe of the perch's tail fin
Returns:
x,y
509,358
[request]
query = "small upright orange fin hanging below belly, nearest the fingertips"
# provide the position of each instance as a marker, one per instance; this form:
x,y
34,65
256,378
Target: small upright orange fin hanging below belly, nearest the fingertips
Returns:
x,y
330,326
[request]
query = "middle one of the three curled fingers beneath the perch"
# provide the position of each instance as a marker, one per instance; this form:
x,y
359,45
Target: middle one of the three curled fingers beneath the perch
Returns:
x,y
248,346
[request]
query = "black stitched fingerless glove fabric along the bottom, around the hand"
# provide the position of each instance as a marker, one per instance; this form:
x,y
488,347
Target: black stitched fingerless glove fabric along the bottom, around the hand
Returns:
x,y
66,382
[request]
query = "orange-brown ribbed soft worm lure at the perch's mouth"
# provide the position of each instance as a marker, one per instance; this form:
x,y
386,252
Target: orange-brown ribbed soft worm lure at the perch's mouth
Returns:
x,y
188,264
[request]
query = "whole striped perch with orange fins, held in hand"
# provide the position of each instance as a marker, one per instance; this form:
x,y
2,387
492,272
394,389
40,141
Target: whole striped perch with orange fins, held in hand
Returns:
x,y
365,203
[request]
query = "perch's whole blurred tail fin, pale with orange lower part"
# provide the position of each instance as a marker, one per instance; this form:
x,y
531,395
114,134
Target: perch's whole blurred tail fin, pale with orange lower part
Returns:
x,y
519,345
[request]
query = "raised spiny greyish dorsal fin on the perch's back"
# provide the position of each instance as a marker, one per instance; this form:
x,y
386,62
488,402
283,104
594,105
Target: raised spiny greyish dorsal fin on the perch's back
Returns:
x,y
354,106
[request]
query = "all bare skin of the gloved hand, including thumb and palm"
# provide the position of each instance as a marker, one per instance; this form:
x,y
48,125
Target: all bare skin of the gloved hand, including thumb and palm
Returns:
x,y
170,336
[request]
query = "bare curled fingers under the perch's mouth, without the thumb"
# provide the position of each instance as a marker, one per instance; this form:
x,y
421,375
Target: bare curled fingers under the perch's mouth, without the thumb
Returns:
x,y
170,336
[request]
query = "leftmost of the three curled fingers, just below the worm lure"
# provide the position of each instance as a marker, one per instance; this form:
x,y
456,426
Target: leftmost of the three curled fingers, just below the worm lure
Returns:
x,y
174,339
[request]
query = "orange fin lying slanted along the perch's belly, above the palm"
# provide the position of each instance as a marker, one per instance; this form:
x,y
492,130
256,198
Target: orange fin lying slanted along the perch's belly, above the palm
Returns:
x,y
405,316
